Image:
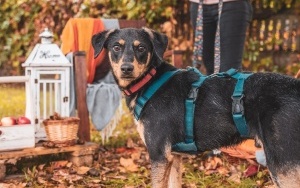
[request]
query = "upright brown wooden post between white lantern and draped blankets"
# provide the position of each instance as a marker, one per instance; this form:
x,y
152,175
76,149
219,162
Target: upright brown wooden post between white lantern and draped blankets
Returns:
x,y
80,89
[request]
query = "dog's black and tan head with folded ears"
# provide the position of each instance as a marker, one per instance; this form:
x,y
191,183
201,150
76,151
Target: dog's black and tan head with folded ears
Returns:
x,y
131,51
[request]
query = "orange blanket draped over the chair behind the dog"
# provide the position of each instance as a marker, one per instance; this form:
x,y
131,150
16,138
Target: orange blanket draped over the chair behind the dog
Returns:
x,y
77,36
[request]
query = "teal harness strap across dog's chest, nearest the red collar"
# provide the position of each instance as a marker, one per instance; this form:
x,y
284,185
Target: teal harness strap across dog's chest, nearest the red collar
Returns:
x,y
143,99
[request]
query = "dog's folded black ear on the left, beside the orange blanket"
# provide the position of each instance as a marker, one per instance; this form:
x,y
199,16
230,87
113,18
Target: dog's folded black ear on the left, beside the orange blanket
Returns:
x,y
99,40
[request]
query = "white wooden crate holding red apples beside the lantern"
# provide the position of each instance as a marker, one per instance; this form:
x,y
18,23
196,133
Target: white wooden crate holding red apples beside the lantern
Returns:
x,y
17,137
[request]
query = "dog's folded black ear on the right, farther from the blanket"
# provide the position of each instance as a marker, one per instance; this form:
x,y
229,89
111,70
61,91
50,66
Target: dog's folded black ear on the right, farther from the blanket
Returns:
x,y
159,42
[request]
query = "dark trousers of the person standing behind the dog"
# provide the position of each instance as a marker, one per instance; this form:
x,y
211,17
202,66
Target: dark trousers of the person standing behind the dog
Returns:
x,y
235,19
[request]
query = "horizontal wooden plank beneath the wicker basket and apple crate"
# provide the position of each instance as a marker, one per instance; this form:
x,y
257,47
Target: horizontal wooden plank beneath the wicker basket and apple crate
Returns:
x,y
40,150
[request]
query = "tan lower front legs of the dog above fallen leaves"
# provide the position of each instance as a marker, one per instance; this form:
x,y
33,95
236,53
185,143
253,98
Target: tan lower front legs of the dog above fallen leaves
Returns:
x,y
167,173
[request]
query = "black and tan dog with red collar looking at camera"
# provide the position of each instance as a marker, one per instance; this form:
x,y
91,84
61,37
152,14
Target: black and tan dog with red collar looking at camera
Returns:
x,y
271,102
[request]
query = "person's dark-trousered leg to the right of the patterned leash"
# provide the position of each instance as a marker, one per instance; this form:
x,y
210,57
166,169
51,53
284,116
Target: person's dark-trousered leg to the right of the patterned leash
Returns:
x,y
235,19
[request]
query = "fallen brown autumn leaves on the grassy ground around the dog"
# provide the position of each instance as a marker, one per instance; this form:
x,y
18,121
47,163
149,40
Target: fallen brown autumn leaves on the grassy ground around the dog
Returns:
x,y
124,162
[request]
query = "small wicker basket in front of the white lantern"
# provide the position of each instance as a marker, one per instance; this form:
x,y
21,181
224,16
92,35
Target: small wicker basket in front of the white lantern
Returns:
x,y
62,131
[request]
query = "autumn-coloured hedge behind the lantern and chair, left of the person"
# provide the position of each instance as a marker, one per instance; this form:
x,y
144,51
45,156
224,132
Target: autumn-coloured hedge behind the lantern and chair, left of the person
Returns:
x,y
21,21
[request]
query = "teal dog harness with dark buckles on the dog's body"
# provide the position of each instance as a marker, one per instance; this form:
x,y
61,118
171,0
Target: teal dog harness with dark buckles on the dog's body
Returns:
x,y
237,104
